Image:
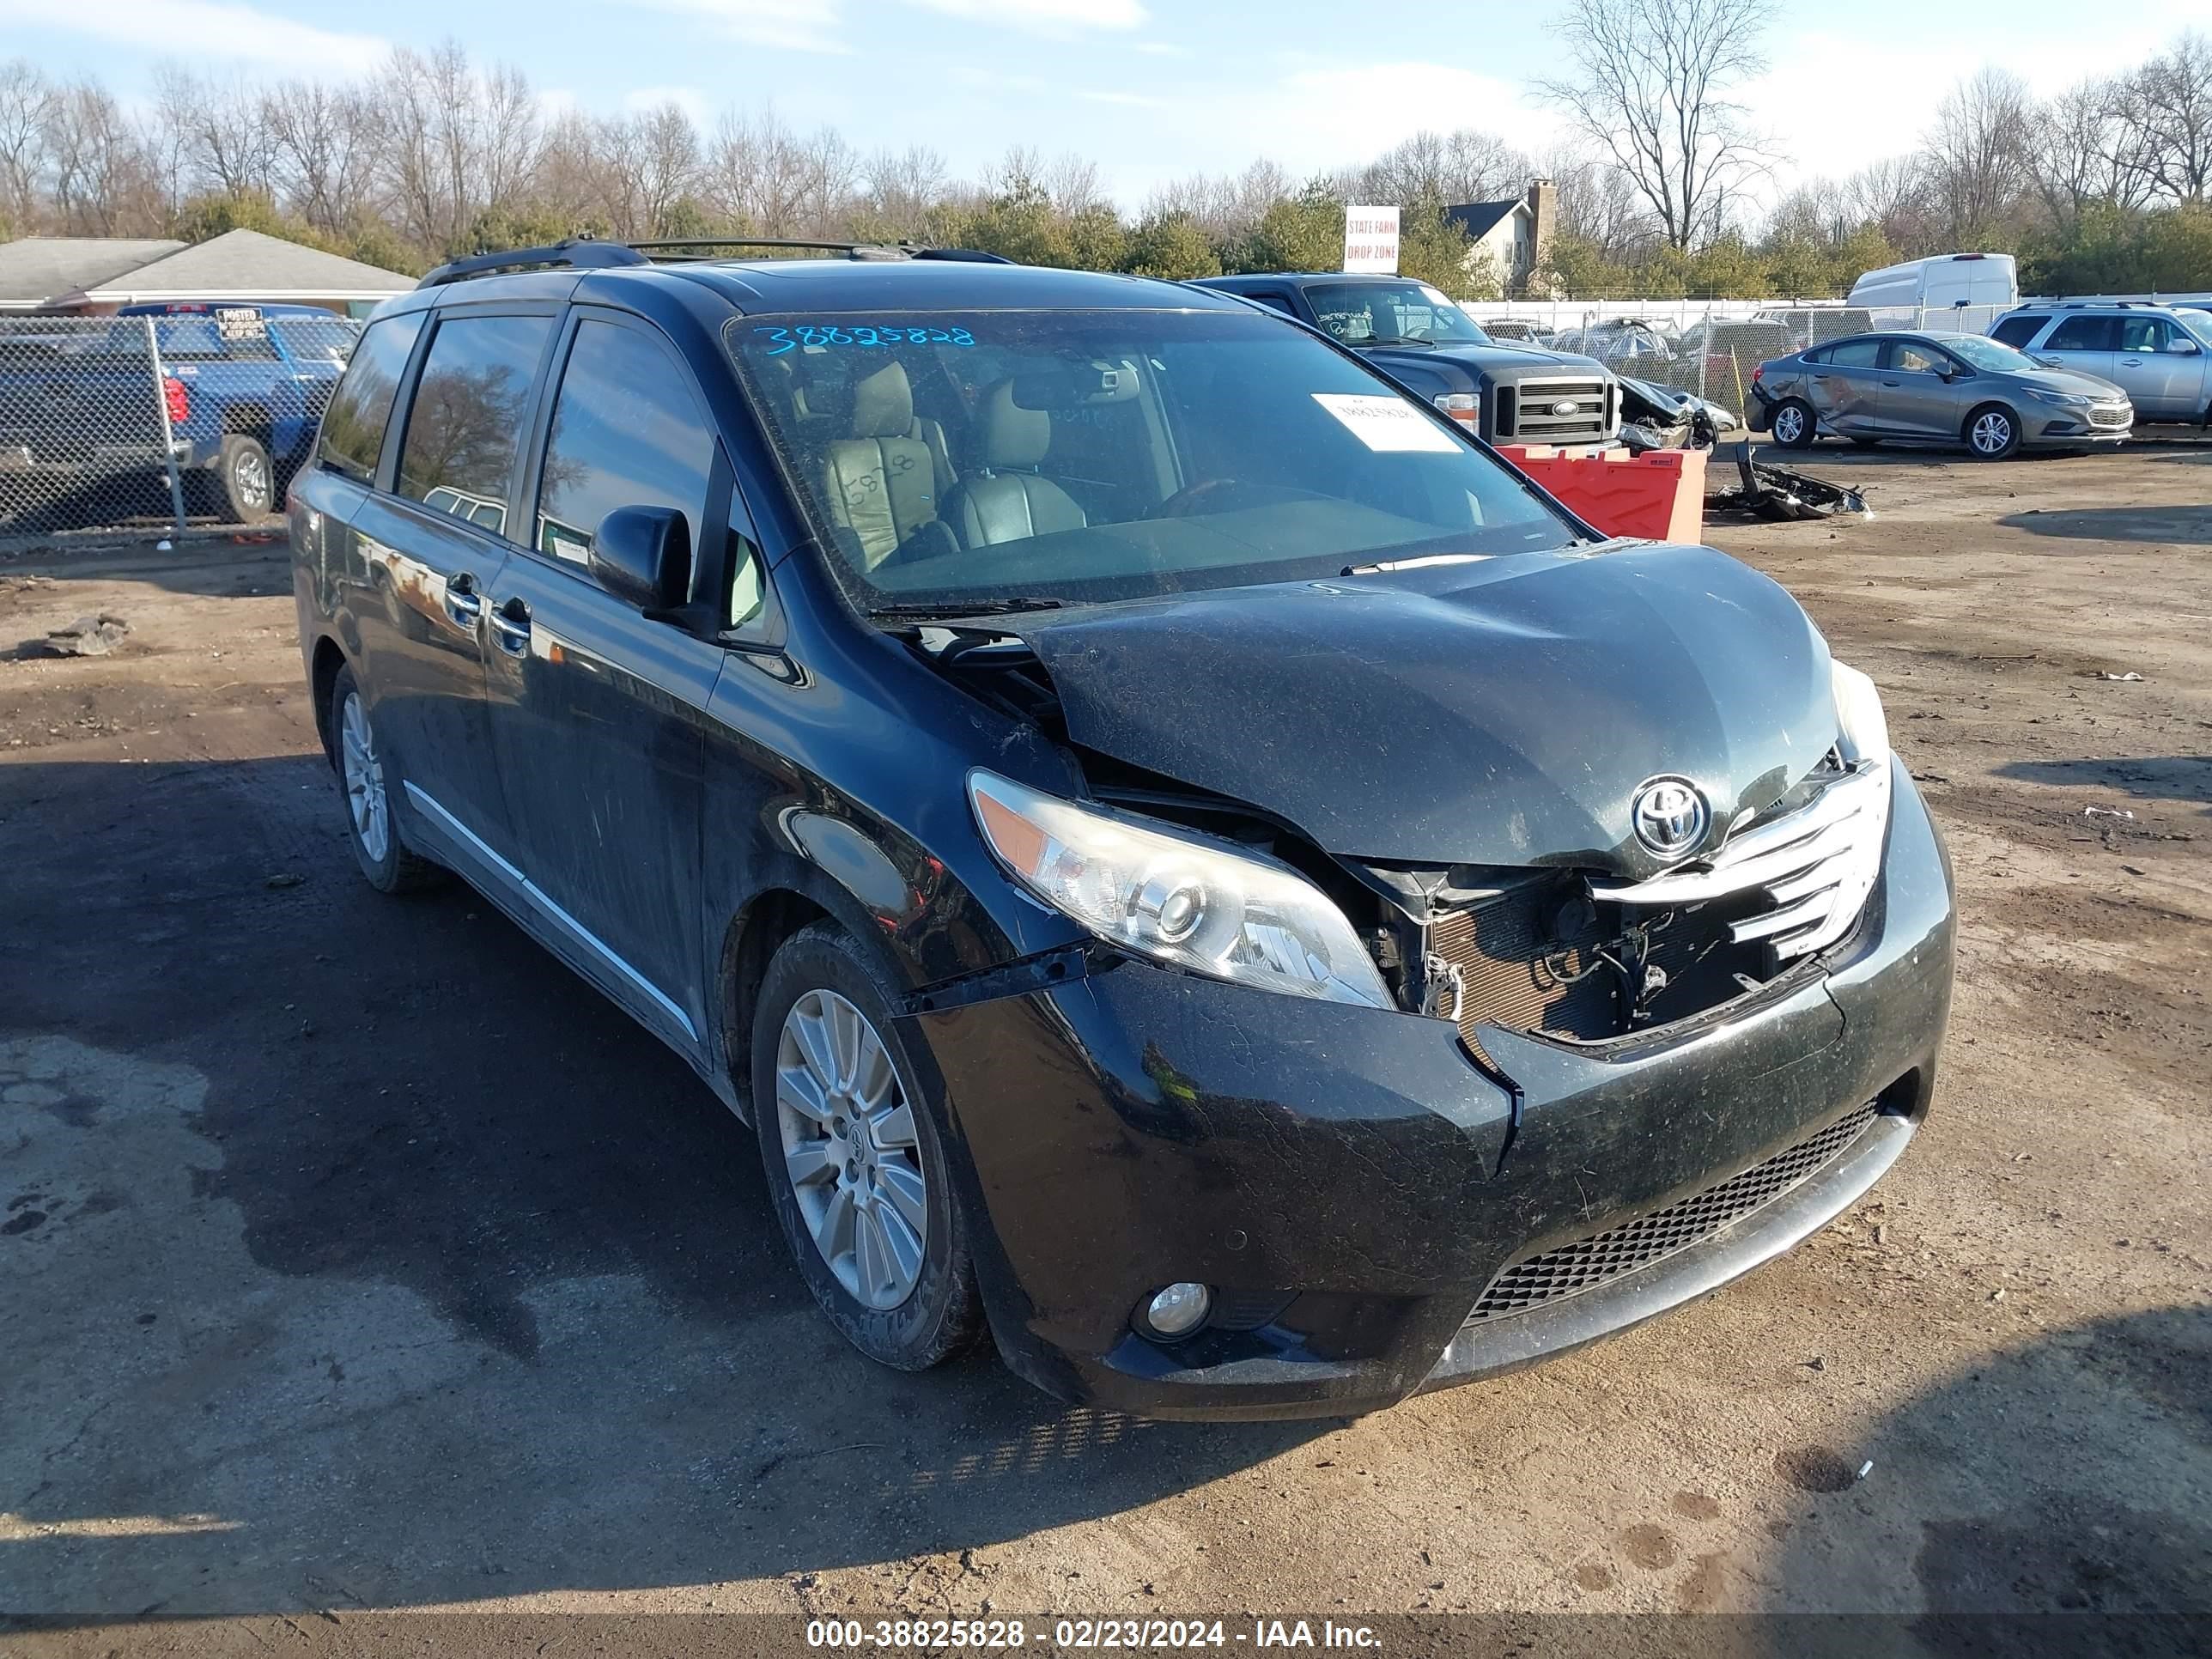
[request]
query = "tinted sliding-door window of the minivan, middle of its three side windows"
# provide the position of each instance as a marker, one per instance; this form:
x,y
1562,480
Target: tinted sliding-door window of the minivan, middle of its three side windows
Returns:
x,y
466,424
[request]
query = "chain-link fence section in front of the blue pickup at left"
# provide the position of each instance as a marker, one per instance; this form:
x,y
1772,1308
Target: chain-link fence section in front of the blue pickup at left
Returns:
x,y
189,417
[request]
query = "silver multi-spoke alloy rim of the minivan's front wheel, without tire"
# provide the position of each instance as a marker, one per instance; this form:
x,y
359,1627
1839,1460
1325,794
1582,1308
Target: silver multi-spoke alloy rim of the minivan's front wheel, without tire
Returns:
x,y
851,1149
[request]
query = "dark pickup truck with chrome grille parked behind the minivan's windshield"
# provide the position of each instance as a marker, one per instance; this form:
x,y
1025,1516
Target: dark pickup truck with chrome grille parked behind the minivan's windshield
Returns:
x,y
1415,335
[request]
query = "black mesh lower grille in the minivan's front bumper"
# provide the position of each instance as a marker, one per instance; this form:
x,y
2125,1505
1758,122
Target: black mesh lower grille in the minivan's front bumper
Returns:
x,y
1636,1244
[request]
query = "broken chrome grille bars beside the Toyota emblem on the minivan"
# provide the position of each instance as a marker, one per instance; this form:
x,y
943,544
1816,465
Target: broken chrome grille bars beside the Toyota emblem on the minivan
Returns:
x,y
1815,866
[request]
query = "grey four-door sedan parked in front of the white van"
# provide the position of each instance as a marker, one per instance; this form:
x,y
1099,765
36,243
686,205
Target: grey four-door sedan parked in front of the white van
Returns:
x,y
1934,388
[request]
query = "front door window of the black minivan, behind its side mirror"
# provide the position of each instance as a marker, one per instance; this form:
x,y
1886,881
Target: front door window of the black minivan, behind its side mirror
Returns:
x,y
625,435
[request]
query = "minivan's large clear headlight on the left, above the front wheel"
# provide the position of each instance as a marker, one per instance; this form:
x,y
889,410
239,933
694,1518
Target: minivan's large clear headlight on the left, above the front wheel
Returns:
x,y
1176,897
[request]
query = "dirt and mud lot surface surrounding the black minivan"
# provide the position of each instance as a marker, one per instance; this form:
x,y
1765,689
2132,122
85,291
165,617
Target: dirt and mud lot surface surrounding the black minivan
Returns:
x,y
357,1258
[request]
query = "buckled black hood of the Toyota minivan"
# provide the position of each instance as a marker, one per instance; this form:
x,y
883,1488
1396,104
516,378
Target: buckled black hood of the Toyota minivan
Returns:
x,y
1494,713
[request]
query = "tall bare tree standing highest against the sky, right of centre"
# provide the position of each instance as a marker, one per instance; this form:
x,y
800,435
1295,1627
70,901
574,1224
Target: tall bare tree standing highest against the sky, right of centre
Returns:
x,y
1651,92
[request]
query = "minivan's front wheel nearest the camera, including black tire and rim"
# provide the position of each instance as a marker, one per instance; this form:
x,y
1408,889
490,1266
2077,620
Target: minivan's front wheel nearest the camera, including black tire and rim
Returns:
x,y
851,1136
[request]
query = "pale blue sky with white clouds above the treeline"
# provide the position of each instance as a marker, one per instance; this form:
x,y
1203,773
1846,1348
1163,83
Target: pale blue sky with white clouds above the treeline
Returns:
x,y
1151,90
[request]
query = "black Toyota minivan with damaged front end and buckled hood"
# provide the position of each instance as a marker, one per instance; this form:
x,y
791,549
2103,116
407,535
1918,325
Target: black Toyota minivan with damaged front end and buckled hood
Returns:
x,y
1185,857
